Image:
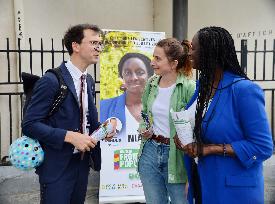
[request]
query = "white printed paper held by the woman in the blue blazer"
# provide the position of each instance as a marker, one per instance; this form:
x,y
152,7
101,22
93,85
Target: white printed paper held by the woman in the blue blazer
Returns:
x,y
183,126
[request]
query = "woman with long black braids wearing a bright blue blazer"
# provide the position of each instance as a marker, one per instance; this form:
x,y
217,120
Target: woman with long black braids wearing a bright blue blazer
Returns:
x,y
231,130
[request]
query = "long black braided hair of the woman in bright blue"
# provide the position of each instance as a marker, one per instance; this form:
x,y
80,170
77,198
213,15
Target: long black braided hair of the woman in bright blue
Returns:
x,y
216,51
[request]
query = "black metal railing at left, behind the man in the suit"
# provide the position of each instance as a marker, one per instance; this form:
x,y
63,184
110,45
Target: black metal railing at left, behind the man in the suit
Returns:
x,y
12,102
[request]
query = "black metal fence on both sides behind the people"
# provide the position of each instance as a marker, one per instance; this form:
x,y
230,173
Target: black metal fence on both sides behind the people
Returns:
x,y
11,76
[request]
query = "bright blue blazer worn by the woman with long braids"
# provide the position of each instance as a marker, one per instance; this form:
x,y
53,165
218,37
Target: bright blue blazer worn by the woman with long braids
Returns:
x,y
236,116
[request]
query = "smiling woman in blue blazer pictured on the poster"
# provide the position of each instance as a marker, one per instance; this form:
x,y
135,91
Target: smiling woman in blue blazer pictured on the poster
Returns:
x,y
134,69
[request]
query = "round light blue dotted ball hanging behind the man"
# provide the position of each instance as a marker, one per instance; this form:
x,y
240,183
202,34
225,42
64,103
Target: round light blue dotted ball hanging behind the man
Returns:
x,y
26,153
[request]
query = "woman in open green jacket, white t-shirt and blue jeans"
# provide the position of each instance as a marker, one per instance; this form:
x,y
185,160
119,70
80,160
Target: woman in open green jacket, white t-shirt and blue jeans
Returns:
x,y
161,167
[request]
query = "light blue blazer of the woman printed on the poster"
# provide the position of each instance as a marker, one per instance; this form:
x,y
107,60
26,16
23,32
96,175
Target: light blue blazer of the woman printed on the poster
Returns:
x,y
113,107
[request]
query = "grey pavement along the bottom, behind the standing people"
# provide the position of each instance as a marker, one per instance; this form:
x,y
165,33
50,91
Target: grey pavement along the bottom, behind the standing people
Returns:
x,y
19,187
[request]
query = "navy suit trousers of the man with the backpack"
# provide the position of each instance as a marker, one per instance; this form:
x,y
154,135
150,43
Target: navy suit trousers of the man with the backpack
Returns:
x,y
71,187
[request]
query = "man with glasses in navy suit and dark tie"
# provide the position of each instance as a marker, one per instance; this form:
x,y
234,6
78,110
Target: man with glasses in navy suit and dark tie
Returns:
x,y
64,136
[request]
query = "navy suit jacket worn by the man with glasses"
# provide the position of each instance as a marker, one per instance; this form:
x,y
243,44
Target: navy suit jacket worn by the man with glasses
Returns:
x,y
50,132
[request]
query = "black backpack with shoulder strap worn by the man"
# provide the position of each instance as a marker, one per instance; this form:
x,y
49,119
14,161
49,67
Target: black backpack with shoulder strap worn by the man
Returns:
x,y
29,81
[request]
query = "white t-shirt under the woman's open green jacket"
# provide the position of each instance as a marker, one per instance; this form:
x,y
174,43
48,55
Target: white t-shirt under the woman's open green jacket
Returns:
x,y
160,111
